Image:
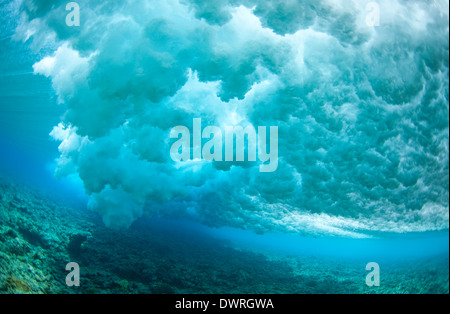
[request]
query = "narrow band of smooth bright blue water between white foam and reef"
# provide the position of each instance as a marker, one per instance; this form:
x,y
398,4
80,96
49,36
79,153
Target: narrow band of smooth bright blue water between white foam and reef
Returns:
x,y
387,248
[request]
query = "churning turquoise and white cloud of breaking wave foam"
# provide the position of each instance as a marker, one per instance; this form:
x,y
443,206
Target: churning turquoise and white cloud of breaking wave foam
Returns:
x,y
361,110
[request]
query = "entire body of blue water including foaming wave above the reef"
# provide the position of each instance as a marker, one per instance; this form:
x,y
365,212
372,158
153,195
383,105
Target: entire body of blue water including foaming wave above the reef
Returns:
x,y
363,169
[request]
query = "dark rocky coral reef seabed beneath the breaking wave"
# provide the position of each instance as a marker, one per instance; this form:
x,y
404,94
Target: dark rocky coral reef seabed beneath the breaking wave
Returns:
x,y
37,243
